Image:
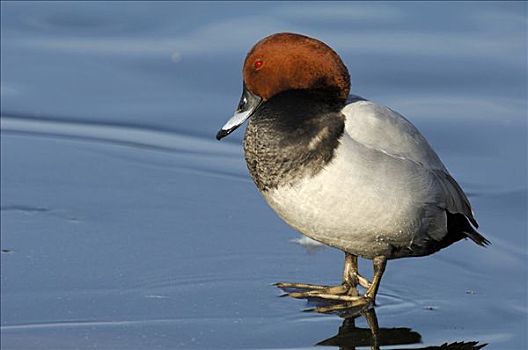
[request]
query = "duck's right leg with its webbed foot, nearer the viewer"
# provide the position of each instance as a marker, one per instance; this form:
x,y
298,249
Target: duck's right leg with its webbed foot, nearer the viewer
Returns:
x,y
354,301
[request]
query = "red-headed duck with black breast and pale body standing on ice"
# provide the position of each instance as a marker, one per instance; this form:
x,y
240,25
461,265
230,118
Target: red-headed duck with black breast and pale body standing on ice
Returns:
x,y
342,170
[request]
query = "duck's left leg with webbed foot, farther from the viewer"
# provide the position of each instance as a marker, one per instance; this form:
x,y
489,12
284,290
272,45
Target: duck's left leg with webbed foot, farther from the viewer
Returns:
x,y
351,279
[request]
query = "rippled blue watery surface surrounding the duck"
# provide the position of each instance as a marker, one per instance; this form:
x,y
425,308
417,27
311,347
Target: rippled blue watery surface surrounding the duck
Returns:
x,y
126,225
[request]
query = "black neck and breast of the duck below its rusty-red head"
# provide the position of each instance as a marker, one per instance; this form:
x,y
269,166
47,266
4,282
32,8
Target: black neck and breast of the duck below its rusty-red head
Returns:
x,y
293,135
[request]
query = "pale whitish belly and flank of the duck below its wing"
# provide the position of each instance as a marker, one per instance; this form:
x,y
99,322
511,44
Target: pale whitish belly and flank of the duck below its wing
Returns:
x,y
353,209
